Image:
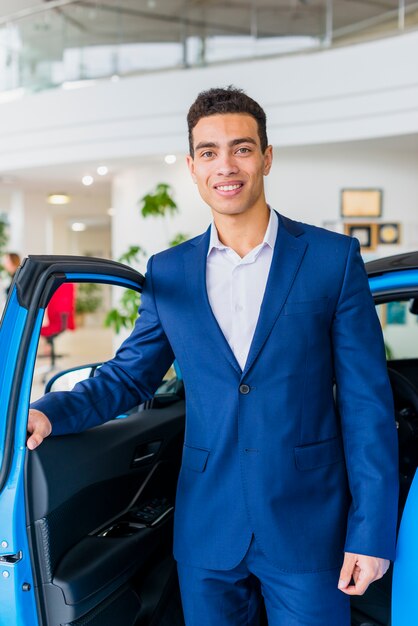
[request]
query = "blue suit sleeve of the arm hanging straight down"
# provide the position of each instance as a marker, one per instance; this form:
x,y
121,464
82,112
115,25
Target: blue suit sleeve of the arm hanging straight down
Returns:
x,y
365,404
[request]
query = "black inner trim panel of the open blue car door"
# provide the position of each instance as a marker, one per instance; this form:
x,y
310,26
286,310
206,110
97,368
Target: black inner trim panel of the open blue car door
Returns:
x,y
73,495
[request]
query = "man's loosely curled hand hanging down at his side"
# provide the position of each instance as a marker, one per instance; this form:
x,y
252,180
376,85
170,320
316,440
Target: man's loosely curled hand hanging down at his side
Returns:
x,y
363,570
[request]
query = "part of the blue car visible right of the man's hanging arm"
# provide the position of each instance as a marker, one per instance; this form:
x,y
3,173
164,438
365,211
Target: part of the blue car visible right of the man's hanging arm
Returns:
x,y
394,282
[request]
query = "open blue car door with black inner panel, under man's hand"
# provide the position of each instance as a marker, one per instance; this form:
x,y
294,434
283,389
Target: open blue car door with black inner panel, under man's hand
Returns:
x,y
86,519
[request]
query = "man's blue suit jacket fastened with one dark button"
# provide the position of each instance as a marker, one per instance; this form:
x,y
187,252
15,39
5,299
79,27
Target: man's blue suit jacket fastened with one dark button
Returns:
x,y
309,476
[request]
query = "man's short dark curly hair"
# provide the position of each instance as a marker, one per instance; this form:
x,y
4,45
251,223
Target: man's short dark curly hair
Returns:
x,y
229,100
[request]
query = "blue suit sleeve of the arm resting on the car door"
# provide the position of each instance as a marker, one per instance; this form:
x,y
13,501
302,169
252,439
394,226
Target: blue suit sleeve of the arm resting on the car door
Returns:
x,y
130,378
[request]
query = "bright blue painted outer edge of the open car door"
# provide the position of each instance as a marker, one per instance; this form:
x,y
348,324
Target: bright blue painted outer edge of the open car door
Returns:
x,y
17,602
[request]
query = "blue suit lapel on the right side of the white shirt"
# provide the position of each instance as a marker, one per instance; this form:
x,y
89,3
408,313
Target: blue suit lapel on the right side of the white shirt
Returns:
x,y
287,257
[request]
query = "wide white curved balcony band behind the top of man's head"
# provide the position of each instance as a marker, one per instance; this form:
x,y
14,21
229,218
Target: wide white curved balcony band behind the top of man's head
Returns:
x,y
354,92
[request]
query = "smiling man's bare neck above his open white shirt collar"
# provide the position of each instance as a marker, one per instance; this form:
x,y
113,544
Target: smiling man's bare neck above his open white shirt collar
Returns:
x,y
242,232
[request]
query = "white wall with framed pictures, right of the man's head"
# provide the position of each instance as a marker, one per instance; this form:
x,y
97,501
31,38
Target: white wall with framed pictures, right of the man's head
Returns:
x,y
305,183
